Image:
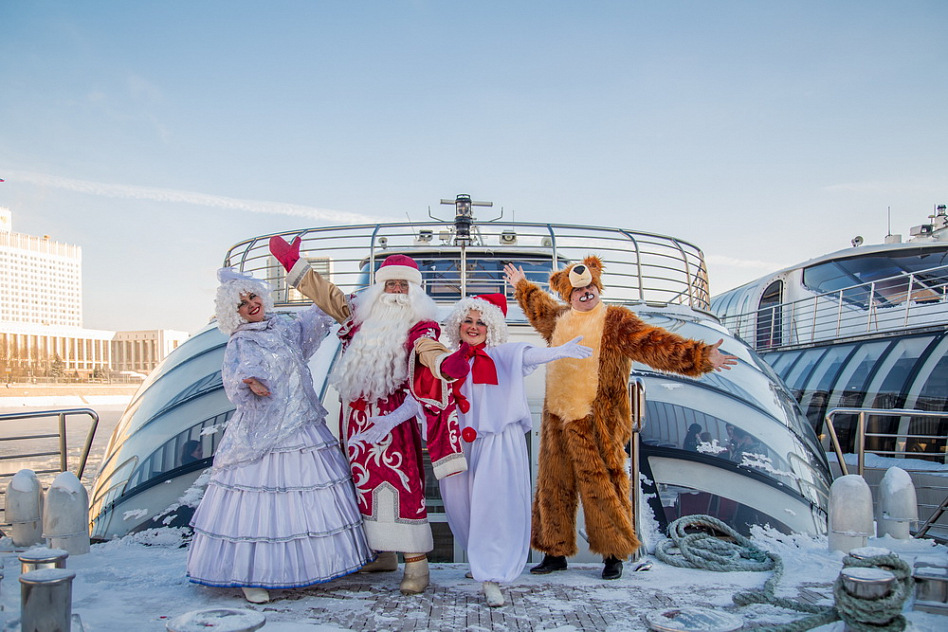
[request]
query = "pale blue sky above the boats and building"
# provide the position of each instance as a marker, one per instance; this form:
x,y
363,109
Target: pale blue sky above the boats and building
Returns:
x,y
157,134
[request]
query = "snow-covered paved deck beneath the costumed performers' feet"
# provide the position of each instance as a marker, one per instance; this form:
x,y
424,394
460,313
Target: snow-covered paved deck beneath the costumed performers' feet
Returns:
x,y
138,583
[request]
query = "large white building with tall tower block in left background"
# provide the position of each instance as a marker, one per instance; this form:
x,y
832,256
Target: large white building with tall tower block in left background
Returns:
x,y
41,333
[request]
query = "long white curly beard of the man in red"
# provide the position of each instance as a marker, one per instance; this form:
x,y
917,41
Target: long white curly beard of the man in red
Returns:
x,y
375,364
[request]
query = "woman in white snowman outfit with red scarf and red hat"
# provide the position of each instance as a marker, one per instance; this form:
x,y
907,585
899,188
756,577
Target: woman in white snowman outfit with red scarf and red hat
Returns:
x,y
488,506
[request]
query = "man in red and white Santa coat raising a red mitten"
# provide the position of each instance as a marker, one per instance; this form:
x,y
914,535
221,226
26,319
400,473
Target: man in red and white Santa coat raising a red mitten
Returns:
x,y
390,344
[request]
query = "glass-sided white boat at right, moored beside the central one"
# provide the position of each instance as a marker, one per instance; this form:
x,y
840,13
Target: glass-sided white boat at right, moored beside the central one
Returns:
x,y
860,337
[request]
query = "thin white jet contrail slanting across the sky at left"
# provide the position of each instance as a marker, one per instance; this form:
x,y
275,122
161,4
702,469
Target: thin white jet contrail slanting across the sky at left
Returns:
x,y
189,197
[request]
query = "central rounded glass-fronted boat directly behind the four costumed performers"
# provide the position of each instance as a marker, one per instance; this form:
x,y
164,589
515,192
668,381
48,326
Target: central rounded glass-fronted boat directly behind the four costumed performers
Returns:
x,y
780,476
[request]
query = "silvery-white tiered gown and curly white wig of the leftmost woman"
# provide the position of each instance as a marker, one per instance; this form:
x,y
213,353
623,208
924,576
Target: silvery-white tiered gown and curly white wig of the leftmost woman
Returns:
x,y
280,508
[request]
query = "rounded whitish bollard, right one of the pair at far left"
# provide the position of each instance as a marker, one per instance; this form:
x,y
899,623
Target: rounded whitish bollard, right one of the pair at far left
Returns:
x,y
66,516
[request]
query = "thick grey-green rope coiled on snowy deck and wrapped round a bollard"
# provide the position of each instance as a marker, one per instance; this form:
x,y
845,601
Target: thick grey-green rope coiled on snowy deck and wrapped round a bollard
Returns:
x,y
707,551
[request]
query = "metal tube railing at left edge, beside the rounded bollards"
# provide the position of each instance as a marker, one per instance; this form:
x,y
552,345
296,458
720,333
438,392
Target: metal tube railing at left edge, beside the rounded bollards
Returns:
x,y
34,448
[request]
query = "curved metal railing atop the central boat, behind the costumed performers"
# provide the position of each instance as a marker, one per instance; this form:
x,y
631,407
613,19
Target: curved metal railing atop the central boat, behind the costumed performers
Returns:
x,y
639,267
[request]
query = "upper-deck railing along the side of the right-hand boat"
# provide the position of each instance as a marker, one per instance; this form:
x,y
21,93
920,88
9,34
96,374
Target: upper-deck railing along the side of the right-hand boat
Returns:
x,y
893,303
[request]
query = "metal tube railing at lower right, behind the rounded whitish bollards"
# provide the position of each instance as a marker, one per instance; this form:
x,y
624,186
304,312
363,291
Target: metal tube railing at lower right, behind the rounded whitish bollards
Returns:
x,y
901,441
